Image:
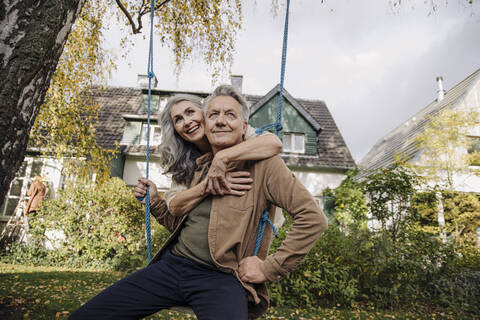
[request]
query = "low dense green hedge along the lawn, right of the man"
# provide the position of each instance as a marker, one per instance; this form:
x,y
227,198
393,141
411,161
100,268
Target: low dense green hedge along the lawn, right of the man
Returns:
x,y
368,268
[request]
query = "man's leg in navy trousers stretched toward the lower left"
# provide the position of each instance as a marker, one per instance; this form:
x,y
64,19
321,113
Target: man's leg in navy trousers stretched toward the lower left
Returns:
x,y
137,295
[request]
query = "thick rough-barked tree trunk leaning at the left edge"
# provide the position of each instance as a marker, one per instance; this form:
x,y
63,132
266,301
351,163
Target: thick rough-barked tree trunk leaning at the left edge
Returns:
x,y
32,37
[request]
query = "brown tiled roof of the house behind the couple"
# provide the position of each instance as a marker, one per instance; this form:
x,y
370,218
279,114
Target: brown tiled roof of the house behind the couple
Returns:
x,y
333,153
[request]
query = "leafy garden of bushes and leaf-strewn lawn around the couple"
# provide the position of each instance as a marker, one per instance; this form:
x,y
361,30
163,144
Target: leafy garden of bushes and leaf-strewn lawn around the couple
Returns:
x,y
379,259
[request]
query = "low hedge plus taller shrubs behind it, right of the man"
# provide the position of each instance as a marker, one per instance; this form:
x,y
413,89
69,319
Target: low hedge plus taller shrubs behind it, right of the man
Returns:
x,y
394,266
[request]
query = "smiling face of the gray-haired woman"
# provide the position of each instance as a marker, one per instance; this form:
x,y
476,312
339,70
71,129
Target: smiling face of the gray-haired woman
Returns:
x,y
188,121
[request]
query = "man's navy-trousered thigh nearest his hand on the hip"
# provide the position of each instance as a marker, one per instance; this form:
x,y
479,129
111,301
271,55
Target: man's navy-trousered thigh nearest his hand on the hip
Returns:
x,y
214,295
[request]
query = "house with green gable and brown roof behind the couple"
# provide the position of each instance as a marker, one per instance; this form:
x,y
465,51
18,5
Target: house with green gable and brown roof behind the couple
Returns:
x,y
313,147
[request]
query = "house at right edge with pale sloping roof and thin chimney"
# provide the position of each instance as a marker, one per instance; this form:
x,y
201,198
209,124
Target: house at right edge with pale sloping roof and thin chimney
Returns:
x,y
400,141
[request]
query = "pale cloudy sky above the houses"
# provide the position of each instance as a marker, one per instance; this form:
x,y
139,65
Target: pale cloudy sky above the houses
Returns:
x,y
373,66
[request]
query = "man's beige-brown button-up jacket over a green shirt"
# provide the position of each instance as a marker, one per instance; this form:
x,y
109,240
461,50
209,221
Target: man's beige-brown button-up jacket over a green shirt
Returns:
x,y
234,223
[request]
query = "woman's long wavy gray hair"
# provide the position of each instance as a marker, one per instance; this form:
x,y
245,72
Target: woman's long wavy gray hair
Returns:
x,y
177,155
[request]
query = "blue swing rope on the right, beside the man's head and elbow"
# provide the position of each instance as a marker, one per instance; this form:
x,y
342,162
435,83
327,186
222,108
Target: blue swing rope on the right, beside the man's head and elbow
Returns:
x,y
278,127
